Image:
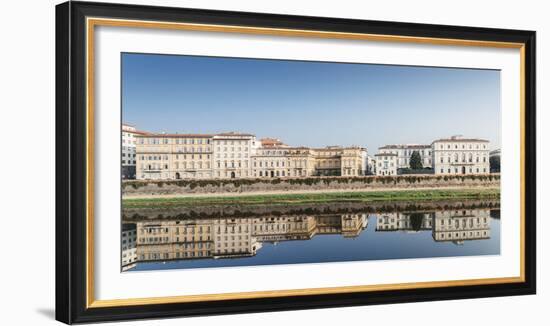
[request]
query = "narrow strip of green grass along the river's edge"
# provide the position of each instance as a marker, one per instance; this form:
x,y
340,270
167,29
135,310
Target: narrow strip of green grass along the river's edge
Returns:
x,y
313,197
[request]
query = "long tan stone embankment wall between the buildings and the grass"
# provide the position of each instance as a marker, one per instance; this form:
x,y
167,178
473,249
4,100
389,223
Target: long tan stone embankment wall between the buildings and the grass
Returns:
x,y
143,188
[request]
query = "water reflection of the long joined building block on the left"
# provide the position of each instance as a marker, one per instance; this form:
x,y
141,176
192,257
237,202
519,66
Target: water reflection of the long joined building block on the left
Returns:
x,y
219,238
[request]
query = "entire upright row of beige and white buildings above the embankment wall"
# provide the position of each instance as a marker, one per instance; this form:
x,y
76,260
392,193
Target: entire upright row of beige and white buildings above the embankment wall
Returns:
x,y
240,155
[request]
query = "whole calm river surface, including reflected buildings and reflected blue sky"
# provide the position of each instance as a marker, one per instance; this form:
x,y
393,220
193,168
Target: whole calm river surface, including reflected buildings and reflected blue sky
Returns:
x,y
300,238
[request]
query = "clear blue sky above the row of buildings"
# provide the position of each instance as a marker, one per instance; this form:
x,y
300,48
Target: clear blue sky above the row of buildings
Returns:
x,y
309,103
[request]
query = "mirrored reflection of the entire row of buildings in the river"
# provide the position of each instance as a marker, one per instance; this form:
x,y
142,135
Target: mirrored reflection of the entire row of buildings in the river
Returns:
x,y
201,238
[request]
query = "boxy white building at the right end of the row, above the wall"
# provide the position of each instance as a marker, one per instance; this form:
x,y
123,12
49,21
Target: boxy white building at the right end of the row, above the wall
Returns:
x,y
457,155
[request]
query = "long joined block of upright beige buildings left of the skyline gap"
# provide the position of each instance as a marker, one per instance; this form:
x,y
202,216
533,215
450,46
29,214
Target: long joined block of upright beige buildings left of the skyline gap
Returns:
x,y
239,155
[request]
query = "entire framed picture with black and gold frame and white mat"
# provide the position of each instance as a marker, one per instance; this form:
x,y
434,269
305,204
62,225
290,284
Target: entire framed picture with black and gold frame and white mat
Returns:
x,y
214,162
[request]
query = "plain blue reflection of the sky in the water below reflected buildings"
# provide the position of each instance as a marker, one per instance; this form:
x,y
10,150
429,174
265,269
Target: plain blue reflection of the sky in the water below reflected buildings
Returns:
x,y
368,245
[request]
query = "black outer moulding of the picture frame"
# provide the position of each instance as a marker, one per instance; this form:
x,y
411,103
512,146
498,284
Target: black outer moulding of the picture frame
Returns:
x,y
71,162
